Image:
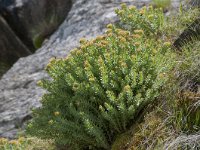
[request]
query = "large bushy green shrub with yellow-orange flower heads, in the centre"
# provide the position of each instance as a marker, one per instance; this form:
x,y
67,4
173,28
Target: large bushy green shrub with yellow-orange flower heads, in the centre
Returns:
x,y
96,92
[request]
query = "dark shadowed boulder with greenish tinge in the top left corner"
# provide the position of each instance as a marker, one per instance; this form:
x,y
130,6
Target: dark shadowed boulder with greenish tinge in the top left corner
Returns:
x,y
34,20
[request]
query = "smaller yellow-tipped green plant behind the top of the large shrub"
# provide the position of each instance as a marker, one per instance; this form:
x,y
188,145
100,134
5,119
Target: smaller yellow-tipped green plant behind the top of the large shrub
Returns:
x,y
149,19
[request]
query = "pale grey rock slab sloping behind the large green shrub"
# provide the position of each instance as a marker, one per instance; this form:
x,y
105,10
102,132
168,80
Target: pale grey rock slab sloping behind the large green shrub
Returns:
x,y
18,90
